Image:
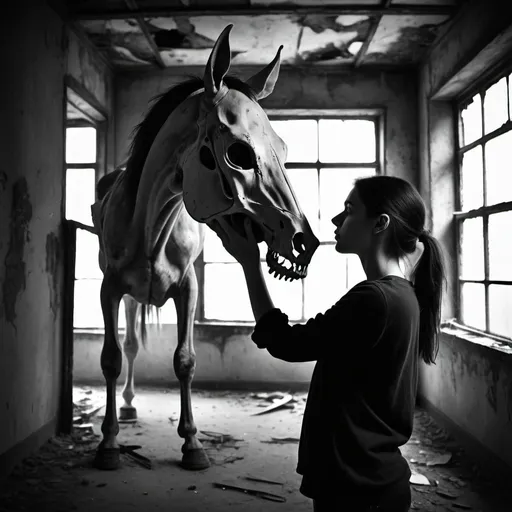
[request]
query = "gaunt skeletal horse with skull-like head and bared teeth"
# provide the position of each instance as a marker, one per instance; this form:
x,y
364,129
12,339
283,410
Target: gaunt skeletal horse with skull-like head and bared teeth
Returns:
x,y
204,150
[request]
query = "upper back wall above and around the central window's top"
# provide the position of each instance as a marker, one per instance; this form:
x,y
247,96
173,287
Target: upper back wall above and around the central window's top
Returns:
x,y
394,92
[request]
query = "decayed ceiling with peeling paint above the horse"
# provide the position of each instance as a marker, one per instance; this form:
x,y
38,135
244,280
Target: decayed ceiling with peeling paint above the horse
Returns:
x,y
152,34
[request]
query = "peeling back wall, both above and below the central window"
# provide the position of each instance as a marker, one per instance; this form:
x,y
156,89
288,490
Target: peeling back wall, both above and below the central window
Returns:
x,y
224,356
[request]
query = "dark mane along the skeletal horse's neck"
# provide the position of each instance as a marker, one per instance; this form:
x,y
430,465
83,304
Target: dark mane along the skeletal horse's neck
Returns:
x,y
164,104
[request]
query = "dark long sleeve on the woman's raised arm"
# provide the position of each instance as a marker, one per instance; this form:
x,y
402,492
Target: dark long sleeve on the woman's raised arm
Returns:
x,y
361,314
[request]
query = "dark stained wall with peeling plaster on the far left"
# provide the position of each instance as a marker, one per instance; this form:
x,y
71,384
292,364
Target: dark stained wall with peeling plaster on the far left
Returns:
x,y
33,44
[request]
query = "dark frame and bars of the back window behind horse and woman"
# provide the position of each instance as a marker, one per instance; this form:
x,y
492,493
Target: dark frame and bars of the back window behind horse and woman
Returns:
x,y
374,114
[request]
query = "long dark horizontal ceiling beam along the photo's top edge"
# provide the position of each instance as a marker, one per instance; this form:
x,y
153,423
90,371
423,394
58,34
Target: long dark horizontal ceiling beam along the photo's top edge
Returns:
x,y
367,10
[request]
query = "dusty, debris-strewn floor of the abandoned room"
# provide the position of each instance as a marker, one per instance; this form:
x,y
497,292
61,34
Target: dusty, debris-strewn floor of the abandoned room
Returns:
x,y
244,448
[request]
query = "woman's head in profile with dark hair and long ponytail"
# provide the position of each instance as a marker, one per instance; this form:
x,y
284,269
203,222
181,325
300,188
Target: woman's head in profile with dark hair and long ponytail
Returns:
x,y
389,211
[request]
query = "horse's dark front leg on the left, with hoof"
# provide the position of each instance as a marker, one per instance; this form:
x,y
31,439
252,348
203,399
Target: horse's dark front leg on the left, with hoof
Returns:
x,y
107,454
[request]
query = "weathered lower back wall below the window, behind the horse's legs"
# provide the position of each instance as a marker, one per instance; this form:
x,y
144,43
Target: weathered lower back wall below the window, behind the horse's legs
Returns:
x,y
226,358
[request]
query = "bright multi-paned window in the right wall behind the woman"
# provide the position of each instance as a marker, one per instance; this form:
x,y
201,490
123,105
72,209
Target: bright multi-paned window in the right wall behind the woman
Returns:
x,y
485,209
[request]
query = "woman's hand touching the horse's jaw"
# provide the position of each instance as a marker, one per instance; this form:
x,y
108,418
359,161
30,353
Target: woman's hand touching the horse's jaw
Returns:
x,y
244,249
